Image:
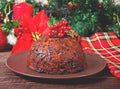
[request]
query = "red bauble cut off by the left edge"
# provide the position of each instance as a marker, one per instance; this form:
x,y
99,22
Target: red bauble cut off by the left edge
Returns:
x,y
3,40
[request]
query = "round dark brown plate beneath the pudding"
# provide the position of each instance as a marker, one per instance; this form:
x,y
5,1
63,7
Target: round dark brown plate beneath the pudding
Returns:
x,y
18,64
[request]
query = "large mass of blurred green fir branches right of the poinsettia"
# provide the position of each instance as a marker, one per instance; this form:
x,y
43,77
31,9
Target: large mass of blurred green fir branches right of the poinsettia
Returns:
x,y
89,16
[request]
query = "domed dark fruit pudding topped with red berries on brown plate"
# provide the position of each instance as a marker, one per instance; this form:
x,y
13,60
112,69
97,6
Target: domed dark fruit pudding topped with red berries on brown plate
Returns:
x,y
58,53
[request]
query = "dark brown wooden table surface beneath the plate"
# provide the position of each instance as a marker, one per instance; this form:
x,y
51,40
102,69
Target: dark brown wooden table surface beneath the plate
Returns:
x,y
11,80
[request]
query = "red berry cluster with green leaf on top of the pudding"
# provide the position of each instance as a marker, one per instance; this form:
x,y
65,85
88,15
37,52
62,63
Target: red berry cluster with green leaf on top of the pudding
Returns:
x,y
58,28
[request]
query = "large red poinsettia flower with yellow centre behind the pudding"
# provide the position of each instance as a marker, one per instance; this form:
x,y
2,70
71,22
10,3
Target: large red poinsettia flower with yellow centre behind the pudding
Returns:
x,y
35,27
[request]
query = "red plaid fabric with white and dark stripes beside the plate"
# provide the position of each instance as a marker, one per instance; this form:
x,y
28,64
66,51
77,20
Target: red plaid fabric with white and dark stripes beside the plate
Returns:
x,y
107,46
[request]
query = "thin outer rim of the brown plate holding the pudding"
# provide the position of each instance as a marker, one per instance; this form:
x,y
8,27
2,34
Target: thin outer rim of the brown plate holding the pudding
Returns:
x,y
60,76
